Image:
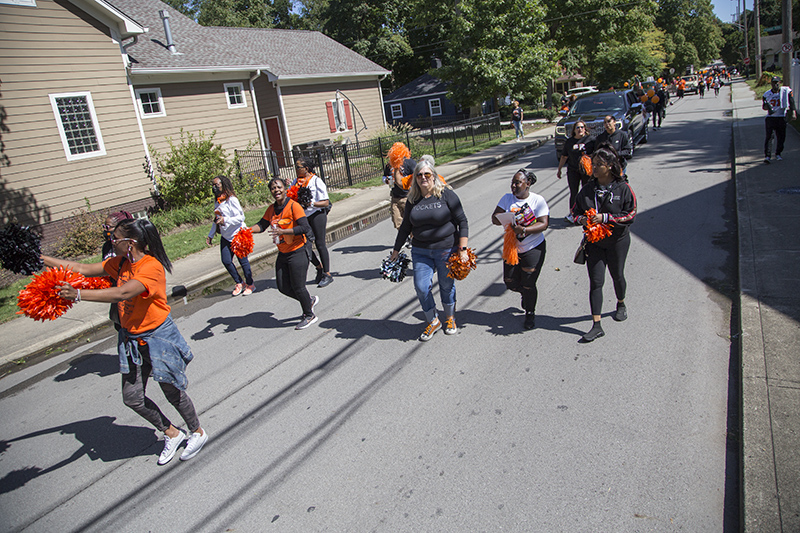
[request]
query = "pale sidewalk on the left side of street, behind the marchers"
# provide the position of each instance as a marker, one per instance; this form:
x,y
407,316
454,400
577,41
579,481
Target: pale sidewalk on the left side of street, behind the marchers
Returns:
x,y
23,337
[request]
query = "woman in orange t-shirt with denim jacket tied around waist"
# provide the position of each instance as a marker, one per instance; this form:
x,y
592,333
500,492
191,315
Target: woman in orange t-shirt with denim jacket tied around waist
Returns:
x,y
149,343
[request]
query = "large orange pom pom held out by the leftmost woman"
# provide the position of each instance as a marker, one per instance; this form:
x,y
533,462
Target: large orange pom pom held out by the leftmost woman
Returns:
x,y
40,299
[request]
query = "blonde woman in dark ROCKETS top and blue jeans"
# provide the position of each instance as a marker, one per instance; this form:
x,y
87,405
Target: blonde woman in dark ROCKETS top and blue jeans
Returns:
x,y
439,226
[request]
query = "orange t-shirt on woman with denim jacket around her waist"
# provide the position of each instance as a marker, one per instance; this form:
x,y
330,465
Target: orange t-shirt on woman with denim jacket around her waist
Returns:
x,y
148,310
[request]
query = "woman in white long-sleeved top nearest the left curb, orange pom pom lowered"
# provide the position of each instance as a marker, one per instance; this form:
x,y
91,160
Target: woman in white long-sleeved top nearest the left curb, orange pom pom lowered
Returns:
x,y
228,220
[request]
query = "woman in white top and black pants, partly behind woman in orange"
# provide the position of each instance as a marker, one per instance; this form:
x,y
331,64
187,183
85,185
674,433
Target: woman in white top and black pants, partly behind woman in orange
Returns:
x,y
317,214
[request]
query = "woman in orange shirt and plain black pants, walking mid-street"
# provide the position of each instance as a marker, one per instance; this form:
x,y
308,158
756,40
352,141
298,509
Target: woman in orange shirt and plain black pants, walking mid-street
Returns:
x,y
287,223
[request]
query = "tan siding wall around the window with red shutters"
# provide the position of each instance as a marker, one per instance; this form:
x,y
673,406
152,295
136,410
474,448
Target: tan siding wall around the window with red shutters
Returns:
x,y
307,116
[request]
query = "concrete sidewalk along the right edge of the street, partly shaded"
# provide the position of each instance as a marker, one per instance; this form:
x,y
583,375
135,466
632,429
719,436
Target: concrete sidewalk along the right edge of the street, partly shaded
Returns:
x,y
768,205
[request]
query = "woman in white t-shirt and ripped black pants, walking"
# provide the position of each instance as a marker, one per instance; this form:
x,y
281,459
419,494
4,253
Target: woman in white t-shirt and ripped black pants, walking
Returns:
x,y
531,218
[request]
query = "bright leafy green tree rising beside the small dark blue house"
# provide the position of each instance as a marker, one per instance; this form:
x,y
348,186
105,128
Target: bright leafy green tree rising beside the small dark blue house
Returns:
x,y
496,48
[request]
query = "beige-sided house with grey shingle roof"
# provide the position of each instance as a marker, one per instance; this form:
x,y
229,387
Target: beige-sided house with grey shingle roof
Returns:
x,y
89,85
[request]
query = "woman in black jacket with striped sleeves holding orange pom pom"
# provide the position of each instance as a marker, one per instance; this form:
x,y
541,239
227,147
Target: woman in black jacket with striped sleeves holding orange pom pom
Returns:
x,y
613,199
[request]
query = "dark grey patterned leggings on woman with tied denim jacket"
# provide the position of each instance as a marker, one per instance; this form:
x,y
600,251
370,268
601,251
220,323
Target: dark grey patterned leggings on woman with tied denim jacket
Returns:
x,y
134,384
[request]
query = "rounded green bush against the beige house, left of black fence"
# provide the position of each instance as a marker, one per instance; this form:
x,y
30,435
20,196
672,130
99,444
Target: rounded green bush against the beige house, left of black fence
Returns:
x,y
184,173
